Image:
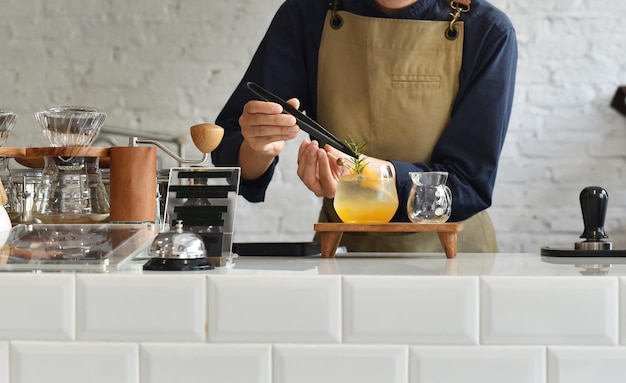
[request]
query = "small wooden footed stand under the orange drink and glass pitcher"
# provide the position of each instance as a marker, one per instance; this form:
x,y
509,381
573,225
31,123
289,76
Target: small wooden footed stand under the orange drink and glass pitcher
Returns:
x,y
331,233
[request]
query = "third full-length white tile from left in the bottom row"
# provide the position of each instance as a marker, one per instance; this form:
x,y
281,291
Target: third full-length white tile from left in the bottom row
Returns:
x,y
340,363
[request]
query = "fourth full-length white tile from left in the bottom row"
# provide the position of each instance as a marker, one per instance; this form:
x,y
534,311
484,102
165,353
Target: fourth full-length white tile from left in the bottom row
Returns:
x,y
490,364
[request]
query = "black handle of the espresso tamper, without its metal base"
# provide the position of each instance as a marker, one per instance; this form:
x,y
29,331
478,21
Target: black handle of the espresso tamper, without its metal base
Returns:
x,y
593,203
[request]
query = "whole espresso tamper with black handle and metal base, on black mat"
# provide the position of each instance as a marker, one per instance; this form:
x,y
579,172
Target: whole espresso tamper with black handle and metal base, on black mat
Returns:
x,y
593,203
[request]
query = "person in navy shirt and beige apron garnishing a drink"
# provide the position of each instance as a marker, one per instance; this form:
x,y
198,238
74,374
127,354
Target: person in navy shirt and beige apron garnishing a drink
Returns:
x,y
428,84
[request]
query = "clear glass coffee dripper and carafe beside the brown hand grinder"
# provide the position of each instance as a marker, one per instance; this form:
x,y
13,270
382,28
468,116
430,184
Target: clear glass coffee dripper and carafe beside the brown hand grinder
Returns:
x,y
71,189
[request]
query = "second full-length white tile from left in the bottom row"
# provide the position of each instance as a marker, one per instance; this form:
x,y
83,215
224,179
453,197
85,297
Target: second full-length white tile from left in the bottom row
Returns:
x,y
200,363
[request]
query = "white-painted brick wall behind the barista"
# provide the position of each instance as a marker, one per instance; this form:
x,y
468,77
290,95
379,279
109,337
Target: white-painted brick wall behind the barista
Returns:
x,y
164,65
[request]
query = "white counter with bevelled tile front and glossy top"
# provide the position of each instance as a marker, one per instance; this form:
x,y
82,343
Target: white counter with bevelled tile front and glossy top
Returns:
x,y
355,318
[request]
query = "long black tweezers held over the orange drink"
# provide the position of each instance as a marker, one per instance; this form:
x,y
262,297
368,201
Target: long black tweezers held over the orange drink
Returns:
x,y
305,122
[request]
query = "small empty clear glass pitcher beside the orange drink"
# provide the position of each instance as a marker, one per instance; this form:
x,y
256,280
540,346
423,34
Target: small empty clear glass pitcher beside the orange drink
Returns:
x,y
430,200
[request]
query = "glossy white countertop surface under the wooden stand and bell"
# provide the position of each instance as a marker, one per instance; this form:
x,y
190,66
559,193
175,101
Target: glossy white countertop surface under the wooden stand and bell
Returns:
x,y
467,264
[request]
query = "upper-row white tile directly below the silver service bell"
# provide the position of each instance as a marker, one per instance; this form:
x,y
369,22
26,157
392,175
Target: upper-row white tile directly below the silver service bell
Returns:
x,y
141,307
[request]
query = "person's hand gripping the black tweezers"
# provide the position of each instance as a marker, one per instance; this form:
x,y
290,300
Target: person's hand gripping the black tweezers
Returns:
x,y
265,127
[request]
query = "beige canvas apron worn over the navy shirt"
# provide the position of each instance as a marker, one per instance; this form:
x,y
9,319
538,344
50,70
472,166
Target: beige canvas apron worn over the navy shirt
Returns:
x,y
392,83
